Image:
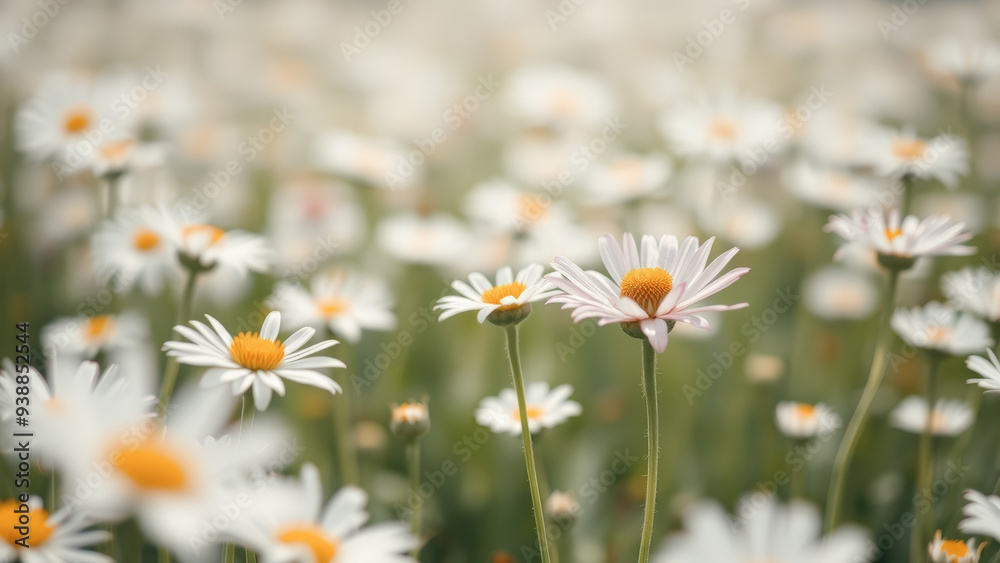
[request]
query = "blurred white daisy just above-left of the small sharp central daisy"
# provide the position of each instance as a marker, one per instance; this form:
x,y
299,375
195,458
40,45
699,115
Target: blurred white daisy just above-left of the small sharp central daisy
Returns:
x,y
438,239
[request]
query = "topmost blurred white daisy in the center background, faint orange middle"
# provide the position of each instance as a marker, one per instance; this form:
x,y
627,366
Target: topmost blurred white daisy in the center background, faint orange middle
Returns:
x,y
558,96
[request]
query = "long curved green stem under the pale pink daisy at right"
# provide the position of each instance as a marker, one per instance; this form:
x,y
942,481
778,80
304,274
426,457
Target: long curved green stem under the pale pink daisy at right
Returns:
x,y
846,451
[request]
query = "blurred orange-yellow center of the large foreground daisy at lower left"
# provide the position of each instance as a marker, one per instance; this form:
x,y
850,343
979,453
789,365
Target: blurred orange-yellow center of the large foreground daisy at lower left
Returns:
x,y
152,466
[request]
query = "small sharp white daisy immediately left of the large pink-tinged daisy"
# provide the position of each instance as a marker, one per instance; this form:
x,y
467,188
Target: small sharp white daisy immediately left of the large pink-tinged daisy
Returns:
x,y
506,302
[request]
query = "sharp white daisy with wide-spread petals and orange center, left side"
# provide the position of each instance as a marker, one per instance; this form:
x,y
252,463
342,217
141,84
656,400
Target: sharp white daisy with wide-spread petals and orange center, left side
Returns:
x,y
257,360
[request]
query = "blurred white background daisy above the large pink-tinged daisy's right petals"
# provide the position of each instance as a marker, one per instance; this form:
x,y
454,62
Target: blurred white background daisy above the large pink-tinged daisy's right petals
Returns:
x,y
723,128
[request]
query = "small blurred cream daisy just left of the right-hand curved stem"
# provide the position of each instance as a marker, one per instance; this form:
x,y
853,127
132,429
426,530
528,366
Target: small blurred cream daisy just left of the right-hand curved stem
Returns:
x,y
837,293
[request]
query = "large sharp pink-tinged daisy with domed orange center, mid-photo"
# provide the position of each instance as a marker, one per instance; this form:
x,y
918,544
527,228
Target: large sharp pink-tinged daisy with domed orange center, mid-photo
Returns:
x,y
650,288
